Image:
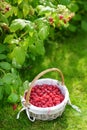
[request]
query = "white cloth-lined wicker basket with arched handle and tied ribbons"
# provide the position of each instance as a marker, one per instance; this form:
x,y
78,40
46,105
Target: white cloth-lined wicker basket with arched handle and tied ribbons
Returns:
x,y
48,113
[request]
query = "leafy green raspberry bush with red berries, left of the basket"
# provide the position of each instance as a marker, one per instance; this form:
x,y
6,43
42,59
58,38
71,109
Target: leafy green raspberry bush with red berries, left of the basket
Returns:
x,y
24,27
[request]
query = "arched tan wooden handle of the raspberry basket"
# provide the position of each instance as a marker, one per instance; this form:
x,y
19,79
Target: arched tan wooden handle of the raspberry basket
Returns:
x,y
38,76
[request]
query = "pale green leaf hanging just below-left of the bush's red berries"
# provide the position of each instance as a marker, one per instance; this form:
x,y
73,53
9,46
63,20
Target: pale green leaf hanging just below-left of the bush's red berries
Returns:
x,y
43,32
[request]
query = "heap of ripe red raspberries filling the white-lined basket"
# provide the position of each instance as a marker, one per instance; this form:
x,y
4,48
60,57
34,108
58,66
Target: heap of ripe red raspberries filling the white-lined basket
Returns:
x,y
45,95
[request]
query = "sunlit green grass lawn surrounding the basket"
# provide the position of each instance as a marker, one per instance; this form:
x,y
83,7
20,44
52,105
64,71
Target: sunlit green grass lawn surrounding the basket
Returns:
x,y
71,58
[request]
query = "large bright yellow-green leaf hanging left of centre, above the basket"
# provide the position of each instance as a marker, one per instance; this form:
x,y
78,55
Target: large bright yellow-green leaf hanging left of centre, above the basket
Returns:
x,y
18,55
